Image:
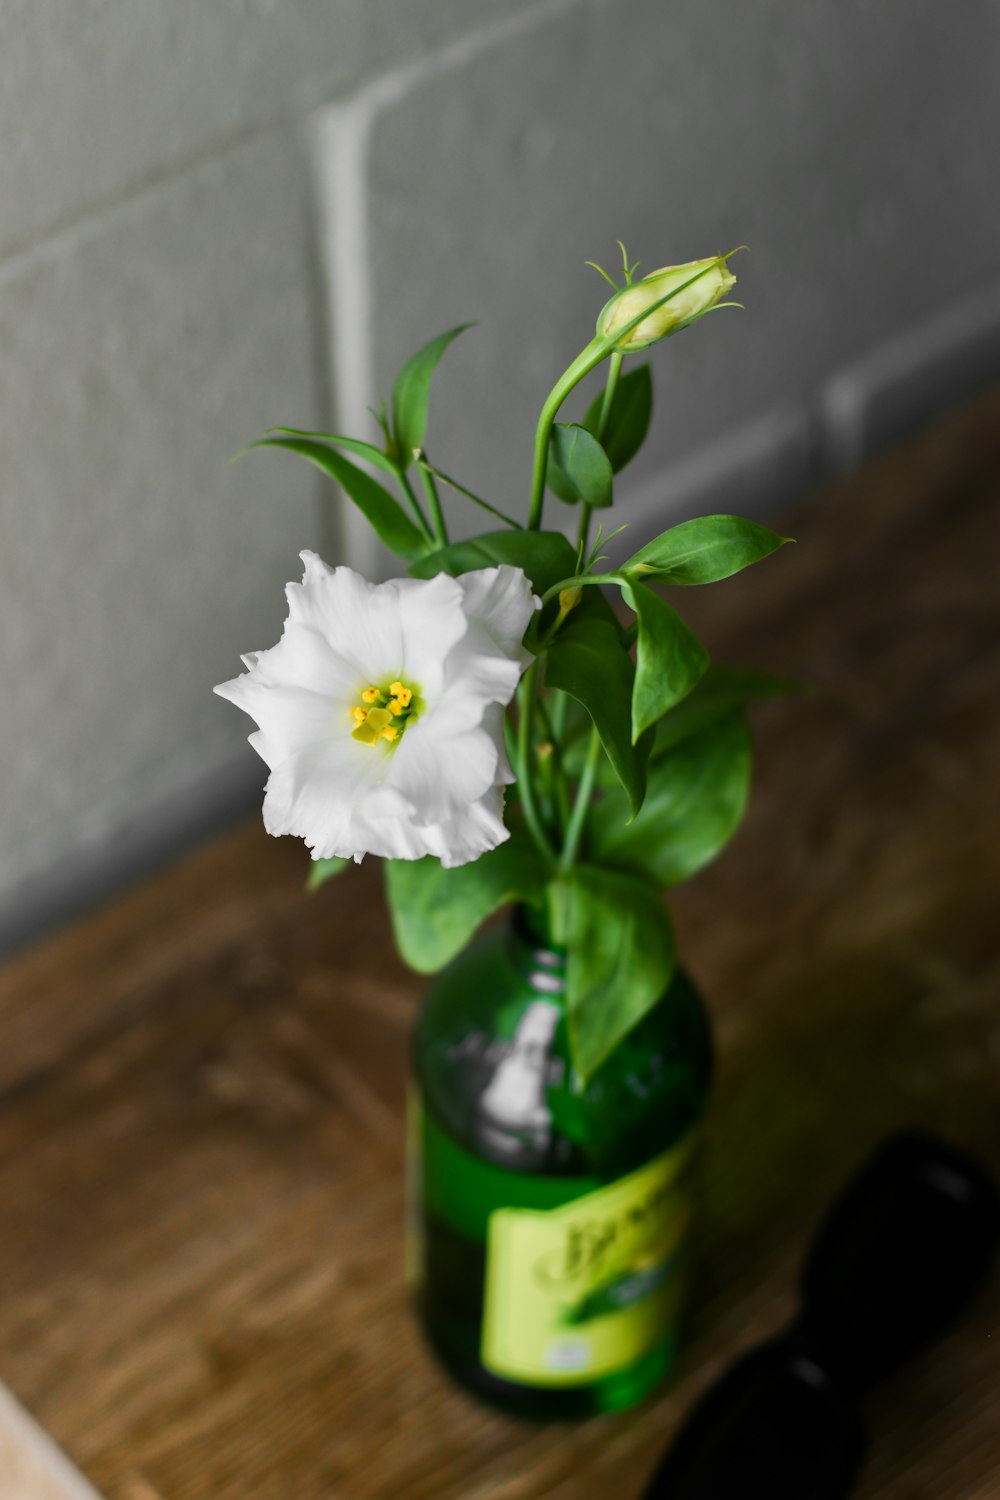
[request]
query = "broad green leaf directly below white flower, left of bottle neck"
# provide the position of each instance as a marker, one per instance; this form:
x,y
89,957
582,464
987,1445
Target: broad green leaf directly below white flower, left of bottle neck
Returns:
x,y
436,911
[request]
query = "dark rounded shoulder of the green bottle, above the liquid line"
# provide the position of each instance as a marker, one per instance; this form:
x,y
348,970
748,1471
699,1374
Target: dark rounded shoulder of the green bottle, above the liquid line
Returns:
x,y
493,1063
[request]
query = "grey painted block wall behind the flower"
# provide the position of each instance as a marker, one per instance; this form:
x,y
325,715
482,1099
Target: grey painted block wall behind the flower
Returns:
x,y
221,217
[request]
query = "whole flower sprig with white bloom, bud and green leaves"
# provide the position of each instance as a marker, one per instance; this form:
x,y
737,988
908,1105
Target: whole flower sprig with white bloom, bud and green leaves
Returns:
x,y
516,718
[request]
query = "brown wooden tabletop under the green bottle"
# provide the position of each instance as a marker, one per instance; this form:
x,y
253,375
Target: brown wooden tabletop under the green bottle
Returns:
x,y
202,1088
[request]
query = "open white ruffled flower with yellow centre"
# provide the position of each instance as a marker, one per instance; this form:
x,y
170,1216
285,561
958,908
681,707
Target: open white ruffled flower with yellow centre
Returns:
x,y
382,712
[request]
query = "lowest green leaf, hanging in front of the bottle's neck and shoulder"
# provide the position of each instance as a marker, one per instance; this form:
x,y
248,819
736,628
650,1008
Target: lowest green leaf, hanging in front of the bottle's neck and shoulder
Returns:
x,y
620,958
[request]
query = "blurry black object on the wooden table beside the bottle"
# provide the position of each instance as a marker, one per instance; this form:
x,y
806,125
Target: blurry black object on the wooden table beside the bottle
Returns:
x,y
902,1252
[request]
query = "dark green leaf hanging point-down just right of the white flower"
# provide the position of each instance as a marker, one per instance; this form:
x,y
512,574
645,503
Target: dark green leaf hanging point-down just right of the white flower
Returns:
x,y
588,662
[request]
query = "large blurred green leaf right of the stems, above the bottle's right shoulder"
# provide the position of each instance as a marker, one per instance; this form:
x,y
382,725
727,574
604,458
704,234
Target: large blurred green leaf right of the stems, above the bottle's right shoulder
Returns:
x,y
695,803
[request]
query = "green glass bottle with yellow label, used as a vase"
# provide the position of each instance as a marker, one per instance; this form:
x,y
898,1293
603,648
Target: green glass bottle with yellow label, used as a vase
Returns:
x,y
549,1225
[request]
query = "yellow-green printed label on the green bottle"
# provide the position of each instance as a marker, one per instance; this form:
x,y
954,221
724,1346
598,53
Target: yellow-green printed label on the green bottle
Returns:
x,y
581,1292
